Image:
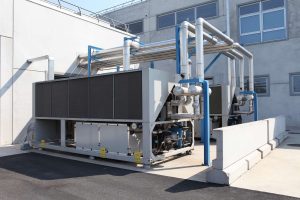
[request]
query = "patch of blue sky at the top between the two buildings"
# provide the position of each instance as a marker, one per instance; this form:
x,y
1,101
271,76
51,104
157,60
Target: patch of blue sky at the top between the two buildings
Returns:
x,y
95,5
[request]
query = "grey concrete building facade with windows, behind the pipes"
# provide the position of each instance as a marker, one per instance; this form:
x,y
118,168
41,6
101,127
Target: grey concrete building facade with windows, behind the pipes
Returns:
x,y
270,29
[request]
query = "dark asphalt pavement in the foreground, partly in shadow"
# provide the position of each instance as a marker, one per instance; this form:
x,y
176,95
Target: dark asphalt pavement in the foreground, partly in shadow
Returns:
x,y
36,176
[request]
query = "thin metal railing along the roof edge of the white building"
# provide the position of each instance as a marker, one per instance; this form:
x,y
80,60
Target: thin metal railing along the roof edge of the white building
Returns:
x,y
87,13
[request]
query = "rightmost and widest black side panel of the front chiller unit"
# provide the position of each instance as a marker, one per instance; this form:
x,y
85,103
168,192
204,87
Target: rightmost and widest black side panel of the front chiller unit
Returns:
x,y
128,96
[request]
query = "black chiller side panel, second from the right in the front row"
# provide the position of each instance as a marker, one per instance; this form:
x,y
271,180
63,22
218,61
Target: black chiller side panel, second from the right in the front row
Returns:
x,y
101,97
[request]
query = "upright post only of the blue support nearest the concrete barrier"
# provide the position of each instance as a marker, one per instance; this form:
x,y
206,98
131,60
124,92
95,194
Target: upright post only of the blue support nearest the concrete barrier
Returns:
x,y
206,123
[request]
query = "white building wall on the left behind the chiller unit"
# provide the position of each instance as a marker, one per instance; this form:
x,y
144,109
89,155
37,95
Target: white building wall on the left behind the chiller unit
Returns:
x,y
41,29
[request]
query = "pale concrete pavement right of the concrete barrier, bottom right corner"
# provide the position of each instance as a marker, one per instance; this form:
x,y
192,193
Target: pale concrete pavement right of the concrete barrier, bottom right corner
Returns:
x,y
279,172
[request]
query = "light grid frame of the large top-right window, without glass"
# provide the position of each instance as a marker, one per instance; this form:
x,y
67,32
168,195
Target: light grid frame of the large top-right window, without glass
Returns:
x,y
261,13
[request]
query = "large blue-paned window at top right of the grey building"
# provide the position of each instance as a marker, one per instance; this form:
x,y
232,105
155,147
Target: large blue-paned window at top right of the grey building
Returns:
x,y
262,21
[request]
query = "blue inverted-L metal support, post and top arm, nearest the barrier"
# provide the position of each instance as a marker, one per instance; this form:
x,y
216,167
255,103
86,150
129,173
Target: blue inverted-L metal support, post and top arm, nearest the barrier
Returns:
x,y
206,119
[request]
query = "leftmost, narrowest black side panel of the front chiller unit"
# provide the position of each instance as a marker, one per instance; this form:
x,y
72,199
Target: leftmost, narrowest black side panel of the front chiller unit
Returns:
x,y
43,99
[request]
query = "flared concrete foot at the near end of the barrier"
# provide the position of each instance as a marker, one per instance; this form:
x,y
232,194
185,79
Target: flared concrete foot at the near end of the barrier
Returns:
x,y
228,175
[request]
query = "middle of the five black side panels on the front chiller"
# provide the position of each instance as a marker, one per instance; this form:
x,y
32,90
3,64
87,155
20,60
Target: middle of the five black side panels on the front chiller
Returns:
x,y
78,98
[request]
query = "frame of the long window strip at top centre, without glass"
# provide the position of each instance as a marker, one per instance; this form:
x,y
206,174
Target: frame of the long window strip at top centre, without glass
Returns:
x,y
186,8
